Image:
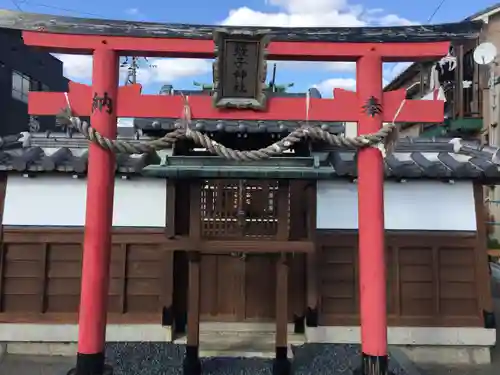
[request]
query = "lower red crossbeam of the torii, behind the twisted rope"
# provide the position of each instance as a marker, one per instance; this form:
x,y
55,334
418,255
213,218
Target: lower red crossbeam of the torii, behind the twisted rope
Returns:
x,y
130,103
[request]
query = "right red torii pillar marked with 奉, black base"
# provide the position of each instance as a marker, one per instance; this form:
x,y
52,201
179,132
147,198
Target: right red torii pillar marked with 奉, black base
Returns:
x,y
372,265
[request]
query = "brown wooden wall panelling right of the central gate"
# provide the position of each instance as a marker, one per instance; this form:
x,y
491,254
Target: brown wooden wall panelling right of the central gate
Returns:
x,y
432,279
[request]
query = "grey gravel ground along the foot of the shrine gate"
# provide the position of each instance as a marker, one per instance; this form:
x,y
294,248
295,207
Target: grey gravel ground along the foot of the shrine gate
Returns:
x,y
166,359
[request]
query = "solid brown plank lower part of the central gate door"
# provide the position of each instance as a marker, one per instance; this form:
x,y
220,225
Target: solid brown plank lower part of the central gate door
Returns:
x,y
236,288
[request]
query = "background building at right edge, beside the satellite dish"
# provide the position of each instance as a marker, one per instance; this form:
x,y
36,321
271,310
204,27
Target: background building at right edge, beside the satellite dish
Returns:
x,y
472,94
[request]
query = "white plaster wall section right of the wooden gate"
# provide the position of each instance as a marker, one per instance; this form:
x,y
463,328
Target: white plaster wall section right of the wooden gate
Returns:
x,y
417,205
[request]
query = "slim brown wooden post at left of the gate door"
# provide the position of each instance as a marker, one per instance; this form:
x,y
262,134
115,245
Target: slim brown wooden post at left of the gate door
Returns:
x,y
192,365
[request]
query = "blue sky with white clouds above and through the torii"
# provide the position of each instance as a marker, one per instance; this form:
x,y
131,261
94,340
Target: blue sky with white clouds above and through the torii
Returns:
x,y
252,12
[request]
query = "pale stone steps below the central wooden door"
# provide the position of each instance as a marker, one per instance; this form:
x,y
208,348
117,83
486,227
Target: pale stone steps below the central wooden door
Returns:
x,y
252,340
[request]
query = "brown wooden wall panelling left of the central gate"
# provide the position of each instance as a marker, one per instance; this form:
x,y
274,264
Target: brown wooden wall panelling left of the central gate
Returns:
x,y
42,275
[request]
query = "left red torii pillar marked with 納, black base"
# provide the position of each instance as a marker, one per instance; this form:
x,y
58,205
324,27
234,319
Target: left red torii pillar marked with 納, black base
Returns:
x,y
98,220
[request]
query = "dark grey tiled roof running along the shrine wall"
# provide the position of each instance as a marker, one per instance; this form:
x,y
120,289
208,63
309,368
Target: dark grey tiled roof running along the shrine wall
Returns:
x,y
414,158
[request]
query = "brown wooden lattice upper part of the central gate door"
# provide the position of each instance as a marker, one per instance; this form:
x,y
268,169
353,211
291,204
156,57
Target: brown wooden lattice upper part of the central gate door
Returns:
x,y
236,209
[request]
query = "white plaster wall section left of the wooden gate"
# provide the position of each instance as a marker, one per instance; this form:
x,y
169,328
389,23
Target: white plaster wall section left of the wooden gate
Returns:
x,y
60,201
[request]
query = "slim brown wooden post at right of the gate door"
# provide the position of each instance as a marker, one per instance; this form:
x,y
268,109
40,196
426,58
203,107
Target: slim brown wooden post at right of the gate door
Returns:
x,y
281,365
